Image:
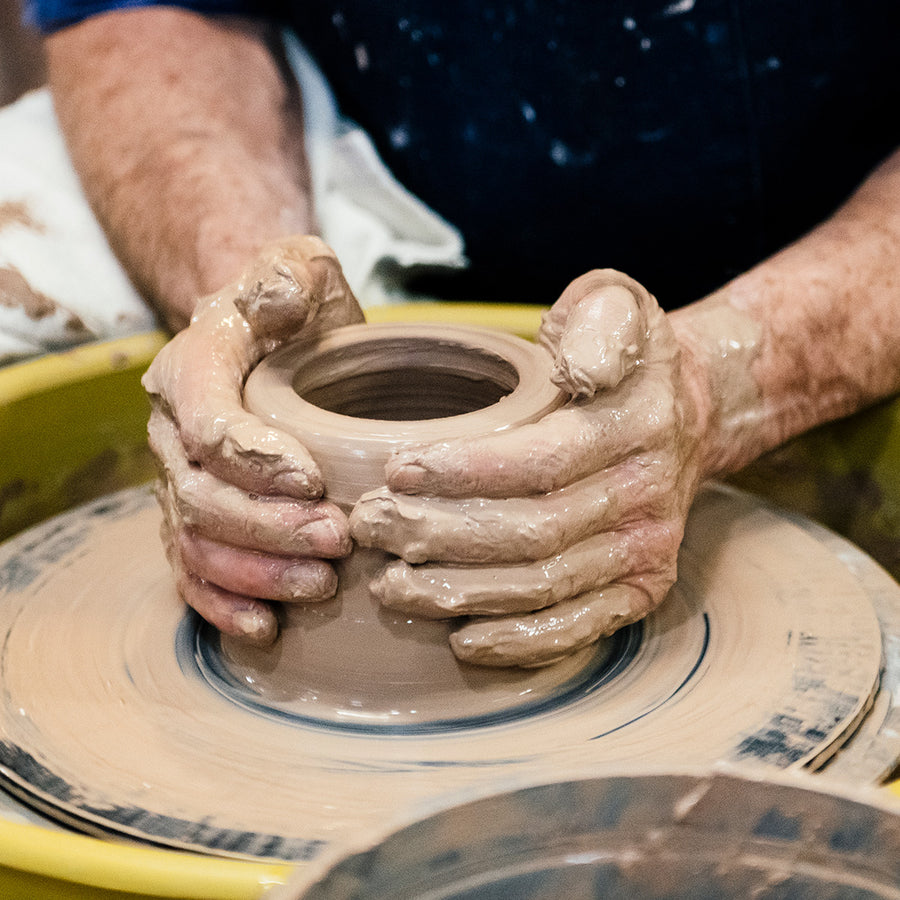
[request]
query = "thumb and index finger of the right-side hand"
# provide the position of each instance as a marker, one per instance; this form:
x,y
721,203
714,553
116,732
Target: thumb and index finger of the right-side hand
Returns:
x,y
603,329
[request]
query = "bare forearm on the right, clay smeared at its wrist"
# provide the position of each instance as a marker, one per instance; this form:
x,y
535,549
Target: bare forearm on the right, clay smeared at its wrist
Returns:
x,y
808,336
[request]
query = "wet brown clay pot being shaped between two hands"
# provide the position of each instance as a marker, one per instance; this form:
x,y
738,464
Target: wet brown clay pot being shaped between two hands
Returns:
x,y
351,399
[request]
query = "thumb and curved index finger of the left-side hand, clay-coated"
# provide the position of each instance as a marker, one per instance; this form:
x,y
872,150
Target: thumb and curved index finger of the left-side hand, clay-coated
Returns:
x,y
294,288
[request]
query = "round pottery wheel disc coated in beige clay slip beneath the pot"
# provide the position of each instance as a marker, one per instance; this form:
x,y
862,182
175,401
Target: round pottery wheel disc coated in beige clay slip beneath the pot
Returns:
x,y
768,651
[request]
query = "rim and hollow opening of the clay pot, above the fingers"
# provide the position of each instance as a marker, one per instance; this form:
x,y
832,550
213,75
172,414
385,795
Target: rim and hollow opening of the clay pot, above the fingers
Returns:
x,y
355,395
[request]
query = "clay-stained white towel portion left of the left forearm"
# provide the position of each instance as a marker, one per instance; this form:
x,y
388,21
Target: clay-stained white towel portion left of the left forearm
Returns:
x,y
60,284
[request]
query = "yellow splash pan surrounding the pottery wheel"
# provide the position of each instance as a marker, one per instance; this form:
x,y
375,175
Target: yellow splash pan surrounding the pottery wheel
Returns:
x,y
73,427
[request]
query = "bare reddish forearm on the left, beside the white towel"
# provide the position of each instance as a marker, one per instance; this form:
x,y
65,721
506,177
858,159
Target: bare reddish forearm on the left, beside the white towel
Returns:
x,y
188,140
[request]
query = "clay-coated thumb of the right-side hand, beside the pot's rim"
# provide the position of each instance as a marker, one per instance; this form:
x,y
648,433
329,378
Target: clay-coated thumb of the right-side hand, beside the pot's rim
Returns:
x,y
597,331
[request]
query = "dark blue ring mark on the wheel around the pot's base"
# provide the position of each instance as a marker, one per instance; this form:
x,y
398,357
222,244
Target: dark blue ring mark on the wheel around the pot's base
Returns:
x,y
196,643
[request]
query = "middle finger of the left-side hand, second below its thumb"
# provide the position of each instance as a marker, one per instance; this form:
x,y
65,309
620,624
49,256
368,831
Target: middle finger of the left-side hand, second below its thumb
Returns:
x,y
224,513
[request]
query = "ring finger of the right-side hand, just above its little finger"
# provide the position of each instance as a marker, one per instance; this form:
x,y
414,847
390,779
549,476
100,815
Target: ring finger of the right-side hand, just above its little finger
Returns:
x,y
642,555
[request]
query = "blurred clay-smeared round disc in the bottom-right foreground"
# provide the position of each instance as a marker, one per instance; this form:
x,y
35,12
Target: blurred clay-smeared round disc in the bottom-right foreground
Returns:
x,y
673,836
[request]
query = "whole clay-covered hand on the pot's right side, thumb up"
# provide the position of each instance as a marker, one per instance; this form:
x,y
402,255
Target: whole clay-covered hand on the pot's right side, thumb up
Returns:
x,y
554,534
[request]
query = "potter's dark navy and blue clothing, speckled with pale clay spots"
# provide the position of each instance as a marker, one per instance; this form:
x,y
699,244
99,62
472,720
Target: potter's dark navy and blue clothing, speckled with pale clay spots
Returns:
x,y
680,141
